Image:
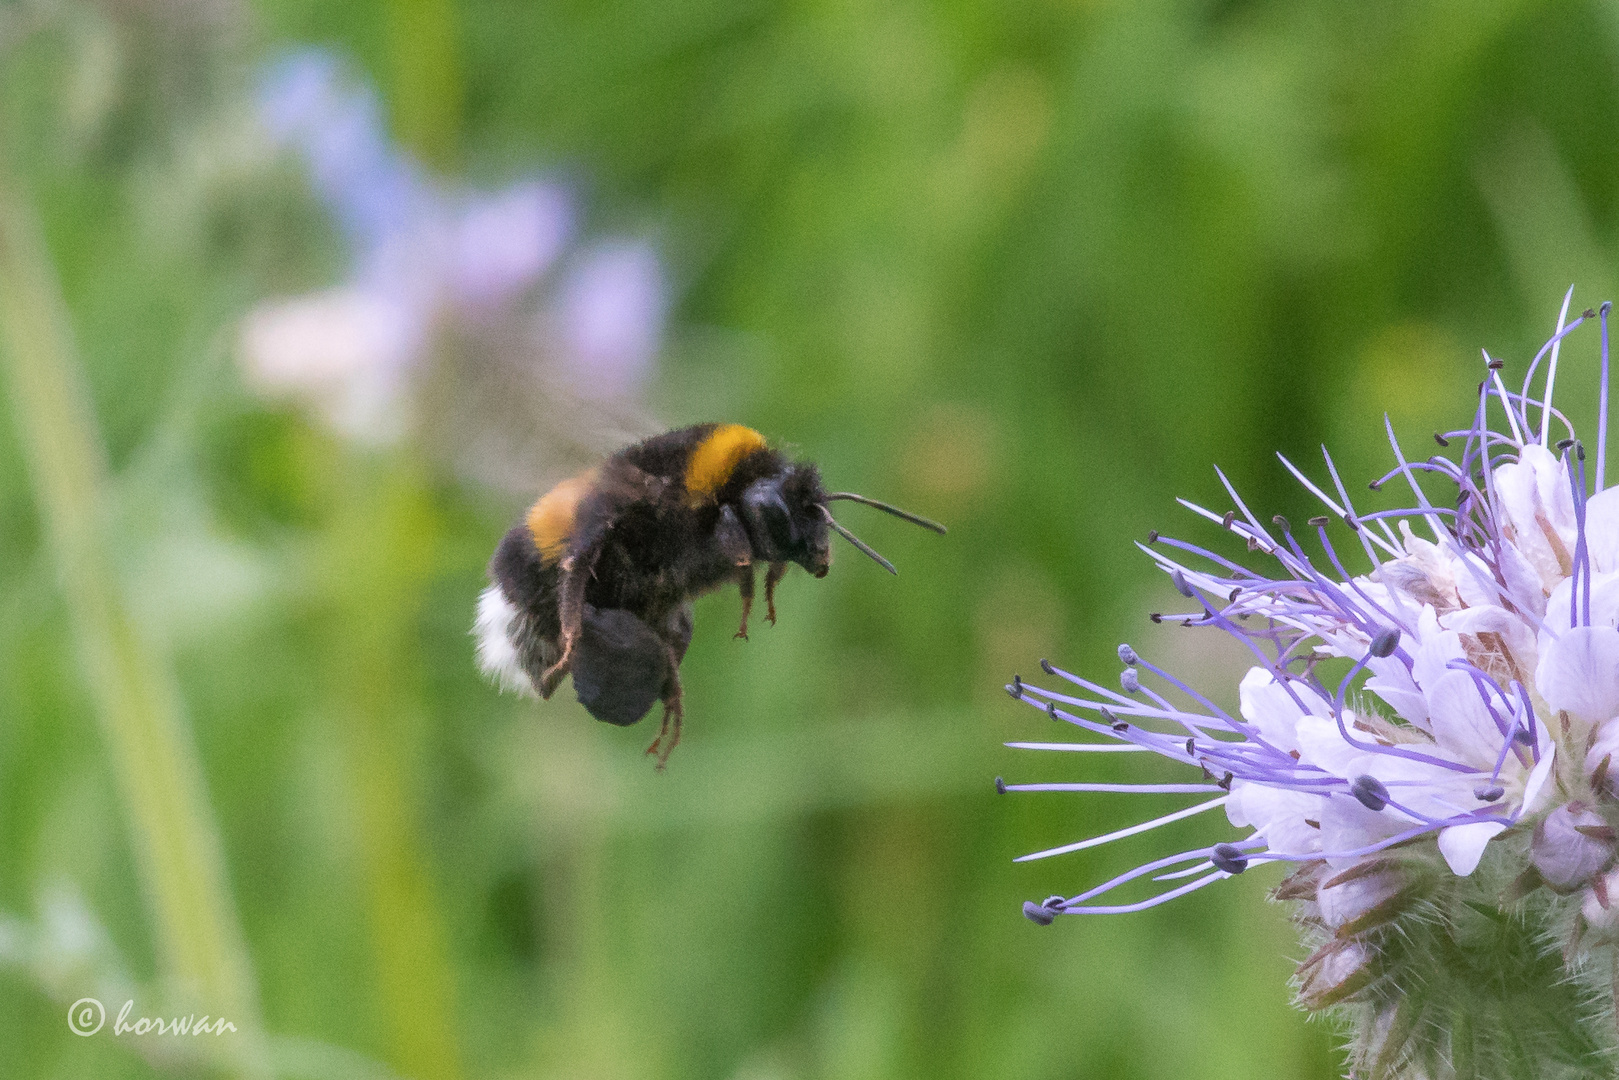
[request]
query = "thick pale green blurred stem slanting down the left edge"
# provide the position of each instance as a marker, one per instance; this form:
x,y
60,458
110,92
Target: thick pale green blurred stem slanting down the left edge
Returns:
x,y
177,844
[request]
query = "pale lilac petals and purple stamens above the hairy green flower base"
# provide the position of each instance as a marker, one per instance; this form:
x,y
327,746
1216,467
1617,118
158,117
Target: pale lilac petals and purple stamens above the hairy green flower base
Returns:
x,y
1471,679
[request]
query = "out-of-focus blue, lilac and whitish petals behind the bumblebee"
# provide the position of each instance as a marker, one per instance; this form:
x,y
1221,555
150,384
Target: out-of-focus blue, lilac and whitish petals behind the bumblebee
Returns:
x,y
428,257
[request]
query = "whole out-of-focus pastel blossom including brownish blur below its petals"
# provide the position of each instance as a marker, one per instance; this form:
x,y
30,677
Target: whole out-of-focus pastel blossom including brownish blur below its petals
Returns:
x,y
548,320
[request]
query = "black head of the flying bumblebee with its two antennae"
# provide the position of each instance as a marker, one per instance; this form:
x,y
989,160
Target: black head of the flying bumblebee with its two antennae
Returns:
x,y
788,519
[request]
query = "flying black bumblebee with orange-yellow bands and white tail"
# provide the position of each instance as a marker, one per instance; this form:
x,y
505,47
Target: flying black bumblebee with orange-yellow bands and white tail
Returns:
x,y
600,576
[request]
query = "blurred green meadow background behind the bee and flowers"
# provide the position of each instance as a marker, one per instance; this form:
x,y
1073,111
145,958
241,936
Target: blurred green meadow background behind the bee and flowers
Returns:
x,y
1027,268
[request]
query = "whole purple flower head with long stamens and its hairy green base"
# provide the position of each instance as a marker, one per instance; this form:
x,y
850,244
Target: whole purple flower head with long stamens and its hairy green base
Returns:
x,y
1429,746
